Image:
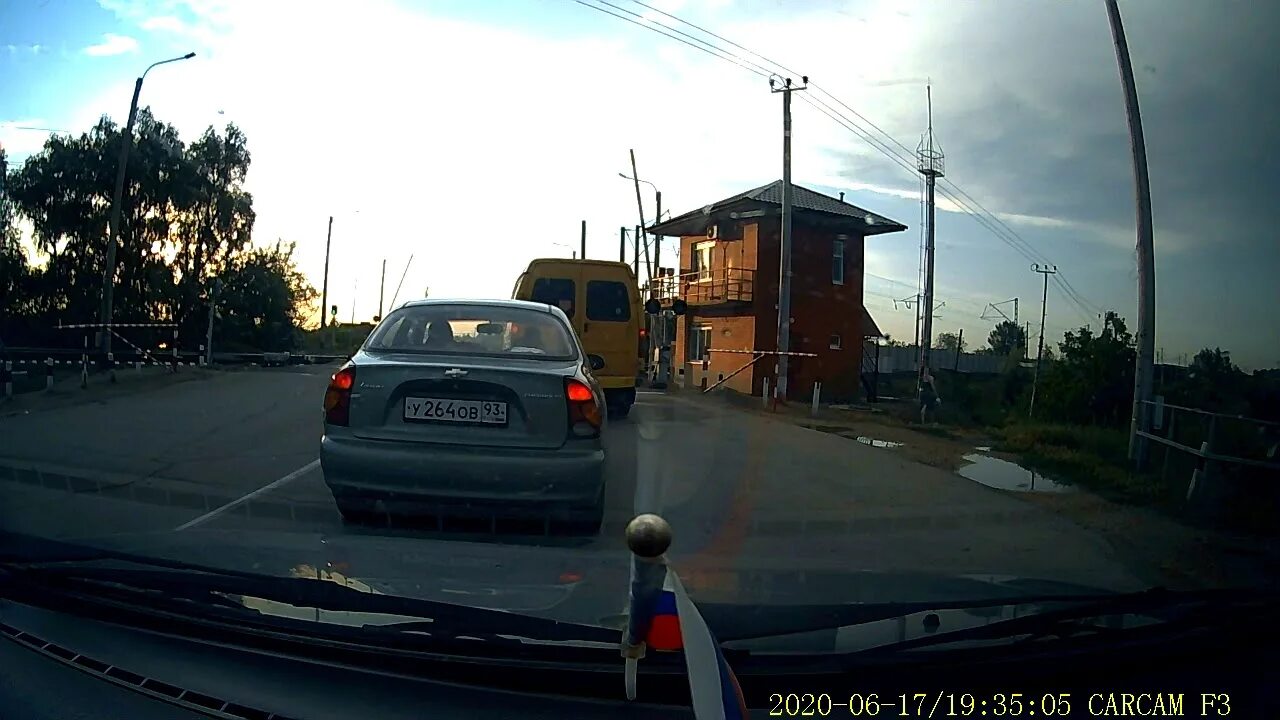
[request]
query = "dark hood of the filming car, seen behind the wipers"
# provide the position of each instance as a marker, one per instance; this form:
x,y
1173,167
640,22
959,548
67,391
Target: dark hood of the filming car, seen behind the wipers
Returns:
x,y
565,581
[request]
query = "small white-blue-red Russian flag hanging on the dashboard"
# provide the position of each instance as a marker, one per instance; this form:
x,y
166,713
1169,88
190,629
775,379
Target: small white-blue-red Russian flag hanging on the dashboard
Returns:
x,y
676,625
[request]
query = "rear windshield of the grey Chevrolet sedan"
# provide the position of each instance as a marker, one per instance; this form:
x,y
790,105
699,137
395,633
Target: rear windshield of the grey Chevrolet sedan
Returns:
x,y
474,330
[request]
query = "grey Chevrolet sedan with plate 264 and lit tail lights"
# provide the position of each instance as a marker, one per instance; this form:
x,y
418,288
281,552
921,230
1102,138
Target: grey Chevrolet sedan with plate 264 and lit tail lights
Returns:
x,y
473,408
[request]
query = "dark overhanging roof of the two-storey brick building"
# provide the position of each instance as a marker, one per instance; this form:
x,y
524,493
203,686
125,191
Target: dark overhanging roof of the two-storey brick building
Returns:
x,y
804,200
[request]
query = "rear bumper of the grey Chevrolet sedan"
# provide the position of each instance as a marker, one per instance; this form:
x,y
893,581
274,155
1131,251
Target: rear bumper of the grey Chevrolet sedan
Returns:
x,y
447,479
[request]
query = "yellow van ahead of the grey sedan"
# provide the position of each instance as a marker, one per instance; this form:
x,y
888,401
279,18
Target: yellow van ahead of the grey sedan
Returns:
x,y
602,300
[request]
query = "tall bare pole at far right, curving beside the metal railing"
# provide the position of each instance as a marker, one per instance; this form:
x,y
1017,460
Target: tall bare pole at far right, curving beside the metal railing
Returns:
x,y
1145,362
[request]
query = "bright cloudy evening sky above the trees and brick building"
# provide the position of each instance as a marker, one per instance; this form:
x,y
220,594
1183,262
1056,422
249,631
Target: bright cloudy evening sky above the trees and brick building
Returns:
x,y
477,136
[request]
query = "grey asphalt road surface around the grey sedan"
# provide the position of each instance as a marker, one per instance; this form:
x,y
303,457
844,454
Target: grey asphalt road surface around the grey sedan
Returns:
x,y
227,467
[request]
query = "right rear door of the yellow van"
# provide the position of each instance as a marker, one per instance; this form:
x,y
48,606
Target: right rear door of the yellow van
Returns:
x,y
611,329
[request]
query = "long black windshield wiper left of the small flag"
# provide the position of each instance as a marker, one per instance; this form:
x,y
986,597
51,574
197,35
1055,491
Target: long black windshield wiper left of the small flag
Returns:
x,y
168,582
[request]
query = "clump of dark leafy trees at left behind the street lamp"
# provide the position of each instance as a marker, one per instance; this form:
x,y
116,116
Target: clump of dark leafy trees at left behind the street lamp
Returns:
x,y
186,221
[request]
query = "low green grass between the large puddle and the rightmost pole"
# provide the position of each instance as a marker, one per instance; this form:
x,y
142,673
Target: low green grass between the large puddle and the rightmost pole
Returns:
x,y
1091,457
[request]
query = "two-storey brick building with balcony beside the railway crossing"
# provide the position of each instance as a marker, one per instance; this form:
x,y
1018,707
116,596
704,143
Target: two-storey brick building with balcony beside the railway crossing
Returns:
x,y
729,277
